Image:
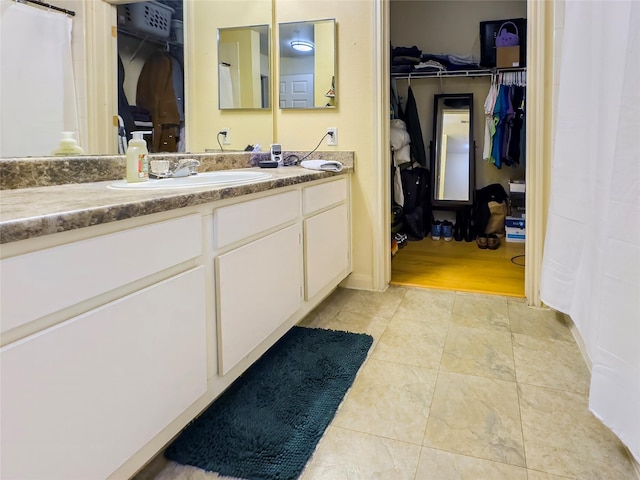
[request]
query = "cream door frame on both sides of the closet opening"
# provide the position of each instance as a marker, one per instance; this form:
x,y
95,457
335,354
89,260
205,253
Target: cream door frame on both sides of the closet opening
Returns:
x,y
540,54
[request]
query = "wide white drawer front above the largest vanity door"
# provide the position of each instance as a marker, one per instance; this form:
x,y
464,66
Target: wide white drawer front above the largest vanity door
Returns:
x,y
43,282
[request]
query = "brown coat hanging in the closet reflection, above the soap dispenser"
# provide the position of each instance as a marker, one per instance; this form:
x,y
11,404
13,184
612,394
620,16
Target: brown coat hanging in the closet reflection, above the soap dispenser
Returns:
x,y
155,92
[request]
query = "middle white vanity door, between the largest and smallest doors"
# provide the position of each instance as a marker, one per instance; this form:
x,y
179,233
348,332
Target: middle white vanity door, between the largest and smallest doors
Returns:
x,y
260,287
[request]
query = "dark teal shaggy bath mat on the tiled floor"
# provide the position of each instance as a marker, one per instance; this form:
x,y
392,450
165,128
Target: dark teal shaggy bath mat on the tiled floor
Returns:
x,y
268,422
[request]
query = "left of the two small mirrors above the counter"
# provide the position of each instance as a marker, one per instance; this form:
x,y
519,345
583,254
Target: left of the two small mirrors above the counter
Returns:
x,y
244,68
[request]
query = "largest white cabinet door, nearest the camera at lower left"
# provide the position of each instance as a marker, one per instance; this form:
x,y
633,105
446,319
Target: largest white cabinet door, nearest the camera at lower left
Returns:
x,y
80,398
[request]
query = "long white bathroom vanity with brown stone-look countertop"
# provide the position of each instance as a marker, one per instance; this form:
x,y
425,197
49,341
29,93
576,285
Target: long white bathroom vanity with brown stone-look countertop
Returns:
x,y
123,325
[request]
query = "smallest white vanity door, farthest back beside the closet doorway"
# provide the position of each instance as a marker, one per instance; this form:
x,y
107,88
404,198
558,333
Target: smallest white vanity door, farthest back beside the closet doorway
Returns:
x,y
326,248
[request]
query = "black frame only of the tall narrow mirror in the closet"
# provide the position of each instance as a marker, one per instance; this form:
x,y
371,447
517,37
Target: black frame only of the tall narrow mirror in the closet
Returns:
x,y
438,101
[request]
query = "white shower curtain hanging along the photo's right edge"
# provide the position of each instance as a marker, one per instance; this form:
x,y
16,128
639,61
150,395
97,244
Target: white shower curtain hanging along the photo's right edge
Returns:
x,y
591,264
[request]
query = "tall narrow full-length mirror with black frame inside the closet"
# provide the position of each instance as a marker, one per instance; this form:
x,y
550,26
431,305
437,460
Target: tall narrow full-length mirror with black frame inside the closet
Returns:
x,y
453,153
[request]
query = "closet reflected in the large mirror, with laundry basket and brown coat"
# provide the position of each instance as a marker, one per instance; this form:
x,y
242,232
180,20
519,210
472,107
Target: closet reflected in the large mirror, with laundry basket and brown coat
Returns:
x,y
151,73
